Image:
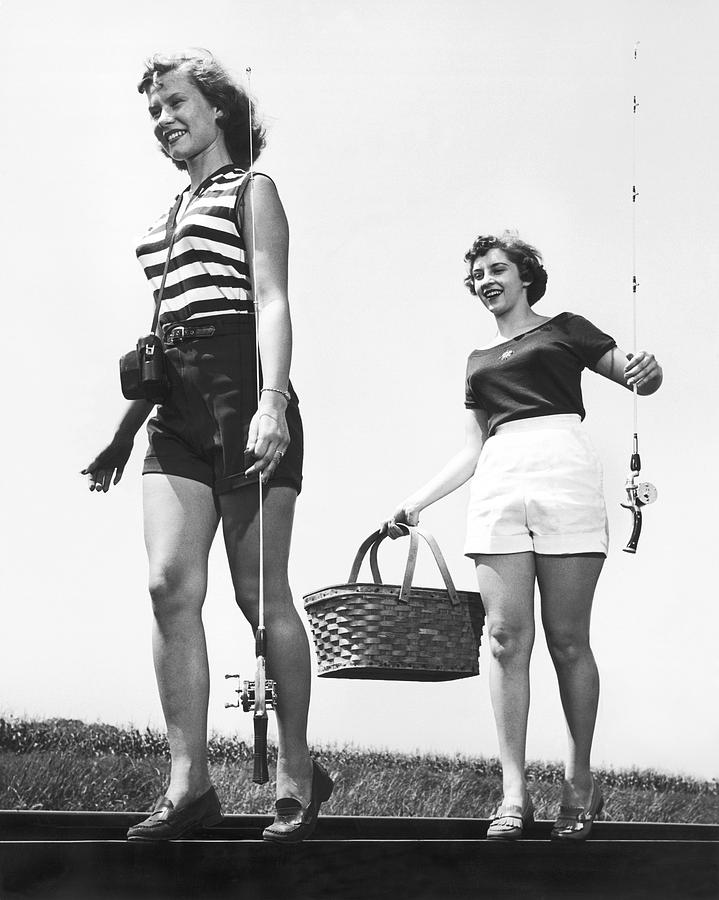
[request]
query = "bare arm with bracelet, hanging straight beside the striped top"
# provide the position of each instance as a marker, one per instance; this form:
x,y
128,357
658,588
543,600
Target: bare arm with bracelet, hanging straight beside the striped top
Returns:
x,y
267,247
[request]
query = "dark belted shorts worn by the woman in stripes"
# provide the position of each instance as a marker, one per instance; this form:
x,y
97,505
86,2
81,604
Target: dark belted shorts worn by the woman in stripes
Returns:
x,y
201,431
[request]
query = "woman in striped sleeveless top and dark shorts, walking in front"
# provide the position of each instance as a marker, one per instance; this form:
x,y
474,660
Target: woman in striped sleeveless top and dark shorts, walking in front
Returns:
x,y
209,442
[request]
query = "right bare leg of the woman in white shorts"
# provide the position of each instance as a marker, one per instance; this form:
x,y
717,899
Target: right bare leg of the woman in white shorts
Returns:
x,y
567,584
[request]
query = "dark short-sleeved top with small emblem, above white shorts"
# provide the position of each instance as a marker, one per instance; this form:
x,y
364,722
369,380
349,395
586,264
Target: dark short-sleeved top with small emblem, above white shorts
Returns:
x,y
537,373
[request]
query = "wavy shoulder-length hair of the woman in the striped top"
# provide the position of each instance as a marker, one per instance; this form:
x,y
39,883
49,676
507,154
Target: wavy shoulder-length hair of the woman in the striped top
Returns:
x,y
220,90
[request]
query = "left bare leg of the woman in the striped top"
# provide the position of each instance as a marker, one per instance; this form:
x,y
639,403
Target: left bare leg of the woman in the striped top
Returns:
x,y
180,523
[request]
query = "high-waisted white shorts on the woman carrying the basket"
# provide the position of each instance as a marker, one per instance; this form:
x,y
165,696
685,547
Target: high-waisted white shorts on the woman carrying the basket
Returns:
x,y
537,487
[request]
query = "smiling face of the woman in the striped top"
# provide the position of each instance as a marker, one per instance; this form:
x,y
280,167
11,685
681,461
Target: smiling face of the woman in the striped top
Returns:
x,y
185,123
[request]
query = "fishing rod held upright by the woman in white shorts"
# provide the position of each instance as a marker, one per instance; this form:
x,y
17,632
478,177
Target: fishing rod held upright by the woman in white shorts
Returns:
x,y
639,494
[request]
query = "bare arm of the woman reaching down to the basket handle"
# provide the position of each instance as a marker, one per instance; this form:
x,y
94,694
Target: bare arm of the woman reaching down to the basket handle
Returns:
x,y
458,470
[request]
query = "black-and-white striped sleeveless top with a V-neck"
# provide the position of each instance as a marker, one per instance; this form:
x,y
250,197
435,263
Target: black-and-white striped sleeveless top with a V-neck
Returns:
x,y
208,273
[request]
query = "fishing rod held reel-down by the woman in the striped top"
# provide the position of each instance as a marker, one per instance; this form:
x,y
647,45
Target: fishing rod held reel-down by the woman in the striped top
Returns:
x,y
260,695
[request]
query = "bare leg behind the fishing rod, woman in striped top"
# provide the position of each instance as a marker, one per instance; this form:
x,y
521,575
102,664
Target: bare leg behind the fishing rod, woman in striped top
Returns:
x,y
288,658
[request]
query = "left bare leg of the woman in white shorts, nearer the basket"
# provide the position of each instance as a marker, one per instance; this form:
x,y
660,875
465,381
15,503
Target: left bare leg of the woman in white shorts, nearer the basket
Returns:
x,y
506,582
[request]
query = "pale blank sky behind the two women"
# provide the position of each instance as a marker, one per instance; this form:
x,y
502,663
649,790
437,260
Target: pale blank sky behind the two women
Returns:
x,y
397,132
